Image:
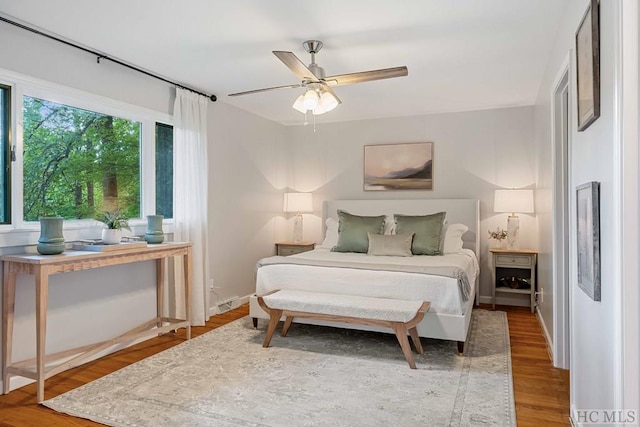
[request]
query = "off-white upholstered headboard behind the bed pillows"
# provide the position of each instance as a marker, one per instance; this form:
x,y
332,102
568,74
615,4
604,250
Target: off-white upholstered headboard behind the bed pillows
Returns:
x,y
465,211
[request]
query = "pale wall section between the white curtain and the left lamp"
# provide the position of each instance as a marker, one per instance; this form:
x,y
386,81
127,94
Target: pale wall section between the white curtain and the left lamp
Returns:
x,y
247,161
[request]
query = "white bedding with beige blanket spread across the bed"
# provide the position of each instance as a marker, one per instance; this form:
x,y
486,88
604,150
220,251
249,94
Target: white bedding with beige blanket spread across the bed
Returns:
x,y
442,292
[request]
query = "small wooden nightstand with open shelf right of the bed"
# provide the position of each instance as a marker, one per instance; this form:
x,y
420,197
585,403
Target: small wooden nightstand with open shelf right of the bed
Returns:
x,y
514,272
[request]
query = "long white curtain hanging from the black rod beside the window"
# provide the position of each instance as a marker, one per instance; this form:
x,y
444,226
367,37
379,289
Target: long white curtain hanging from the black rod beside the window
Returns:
x,y
190,199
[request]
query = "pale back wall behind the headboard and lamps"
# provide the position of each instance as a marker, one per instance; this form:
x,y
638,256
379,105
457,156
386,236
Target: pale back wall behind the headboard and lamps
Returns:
x,y
474,153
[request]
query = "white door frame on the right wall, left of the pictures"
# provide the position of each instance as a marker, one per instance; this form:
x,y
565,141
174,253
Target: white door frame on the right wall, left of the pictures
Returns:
x,y
560,346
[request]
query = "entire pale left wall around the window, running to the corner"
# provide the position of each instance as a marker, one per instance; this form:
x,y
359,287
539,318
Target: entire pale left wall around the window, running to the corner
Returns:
x,y
244,201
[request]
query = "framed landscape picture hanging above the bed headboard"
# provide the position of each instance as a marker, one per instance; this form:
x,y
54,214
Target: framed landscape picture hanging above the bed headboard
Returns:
x,y
404,166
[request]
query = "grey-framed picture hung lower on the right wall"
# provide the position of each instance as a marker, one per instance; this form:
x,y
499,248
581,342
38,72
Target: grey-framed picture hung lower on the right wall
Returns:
x,y
588,236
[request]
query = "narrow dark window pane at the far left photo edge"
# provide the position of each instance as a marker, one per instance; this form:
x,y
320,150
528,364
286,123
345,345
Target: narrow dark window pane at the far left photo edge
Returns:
x,y
5,154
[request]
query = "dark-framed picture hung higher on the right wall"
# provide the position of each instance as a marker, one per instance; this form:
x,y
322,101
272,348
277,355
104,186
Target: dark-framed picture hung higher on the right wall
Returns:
x,y
588,67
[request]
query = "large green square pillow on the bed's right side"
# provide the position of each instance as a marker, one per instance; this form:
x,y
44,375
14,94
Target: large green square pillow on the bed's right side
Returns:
x,y
427,230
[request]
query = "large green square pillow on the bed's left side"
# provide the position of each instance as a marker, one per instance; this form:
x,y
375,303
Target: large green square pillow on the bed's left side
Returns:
x,y
353,229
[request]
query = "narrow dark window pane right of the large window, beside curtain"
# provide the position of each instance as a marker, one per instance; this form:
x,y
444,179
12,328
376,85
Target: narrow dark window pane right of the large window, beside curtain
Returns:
x,y
164,170
